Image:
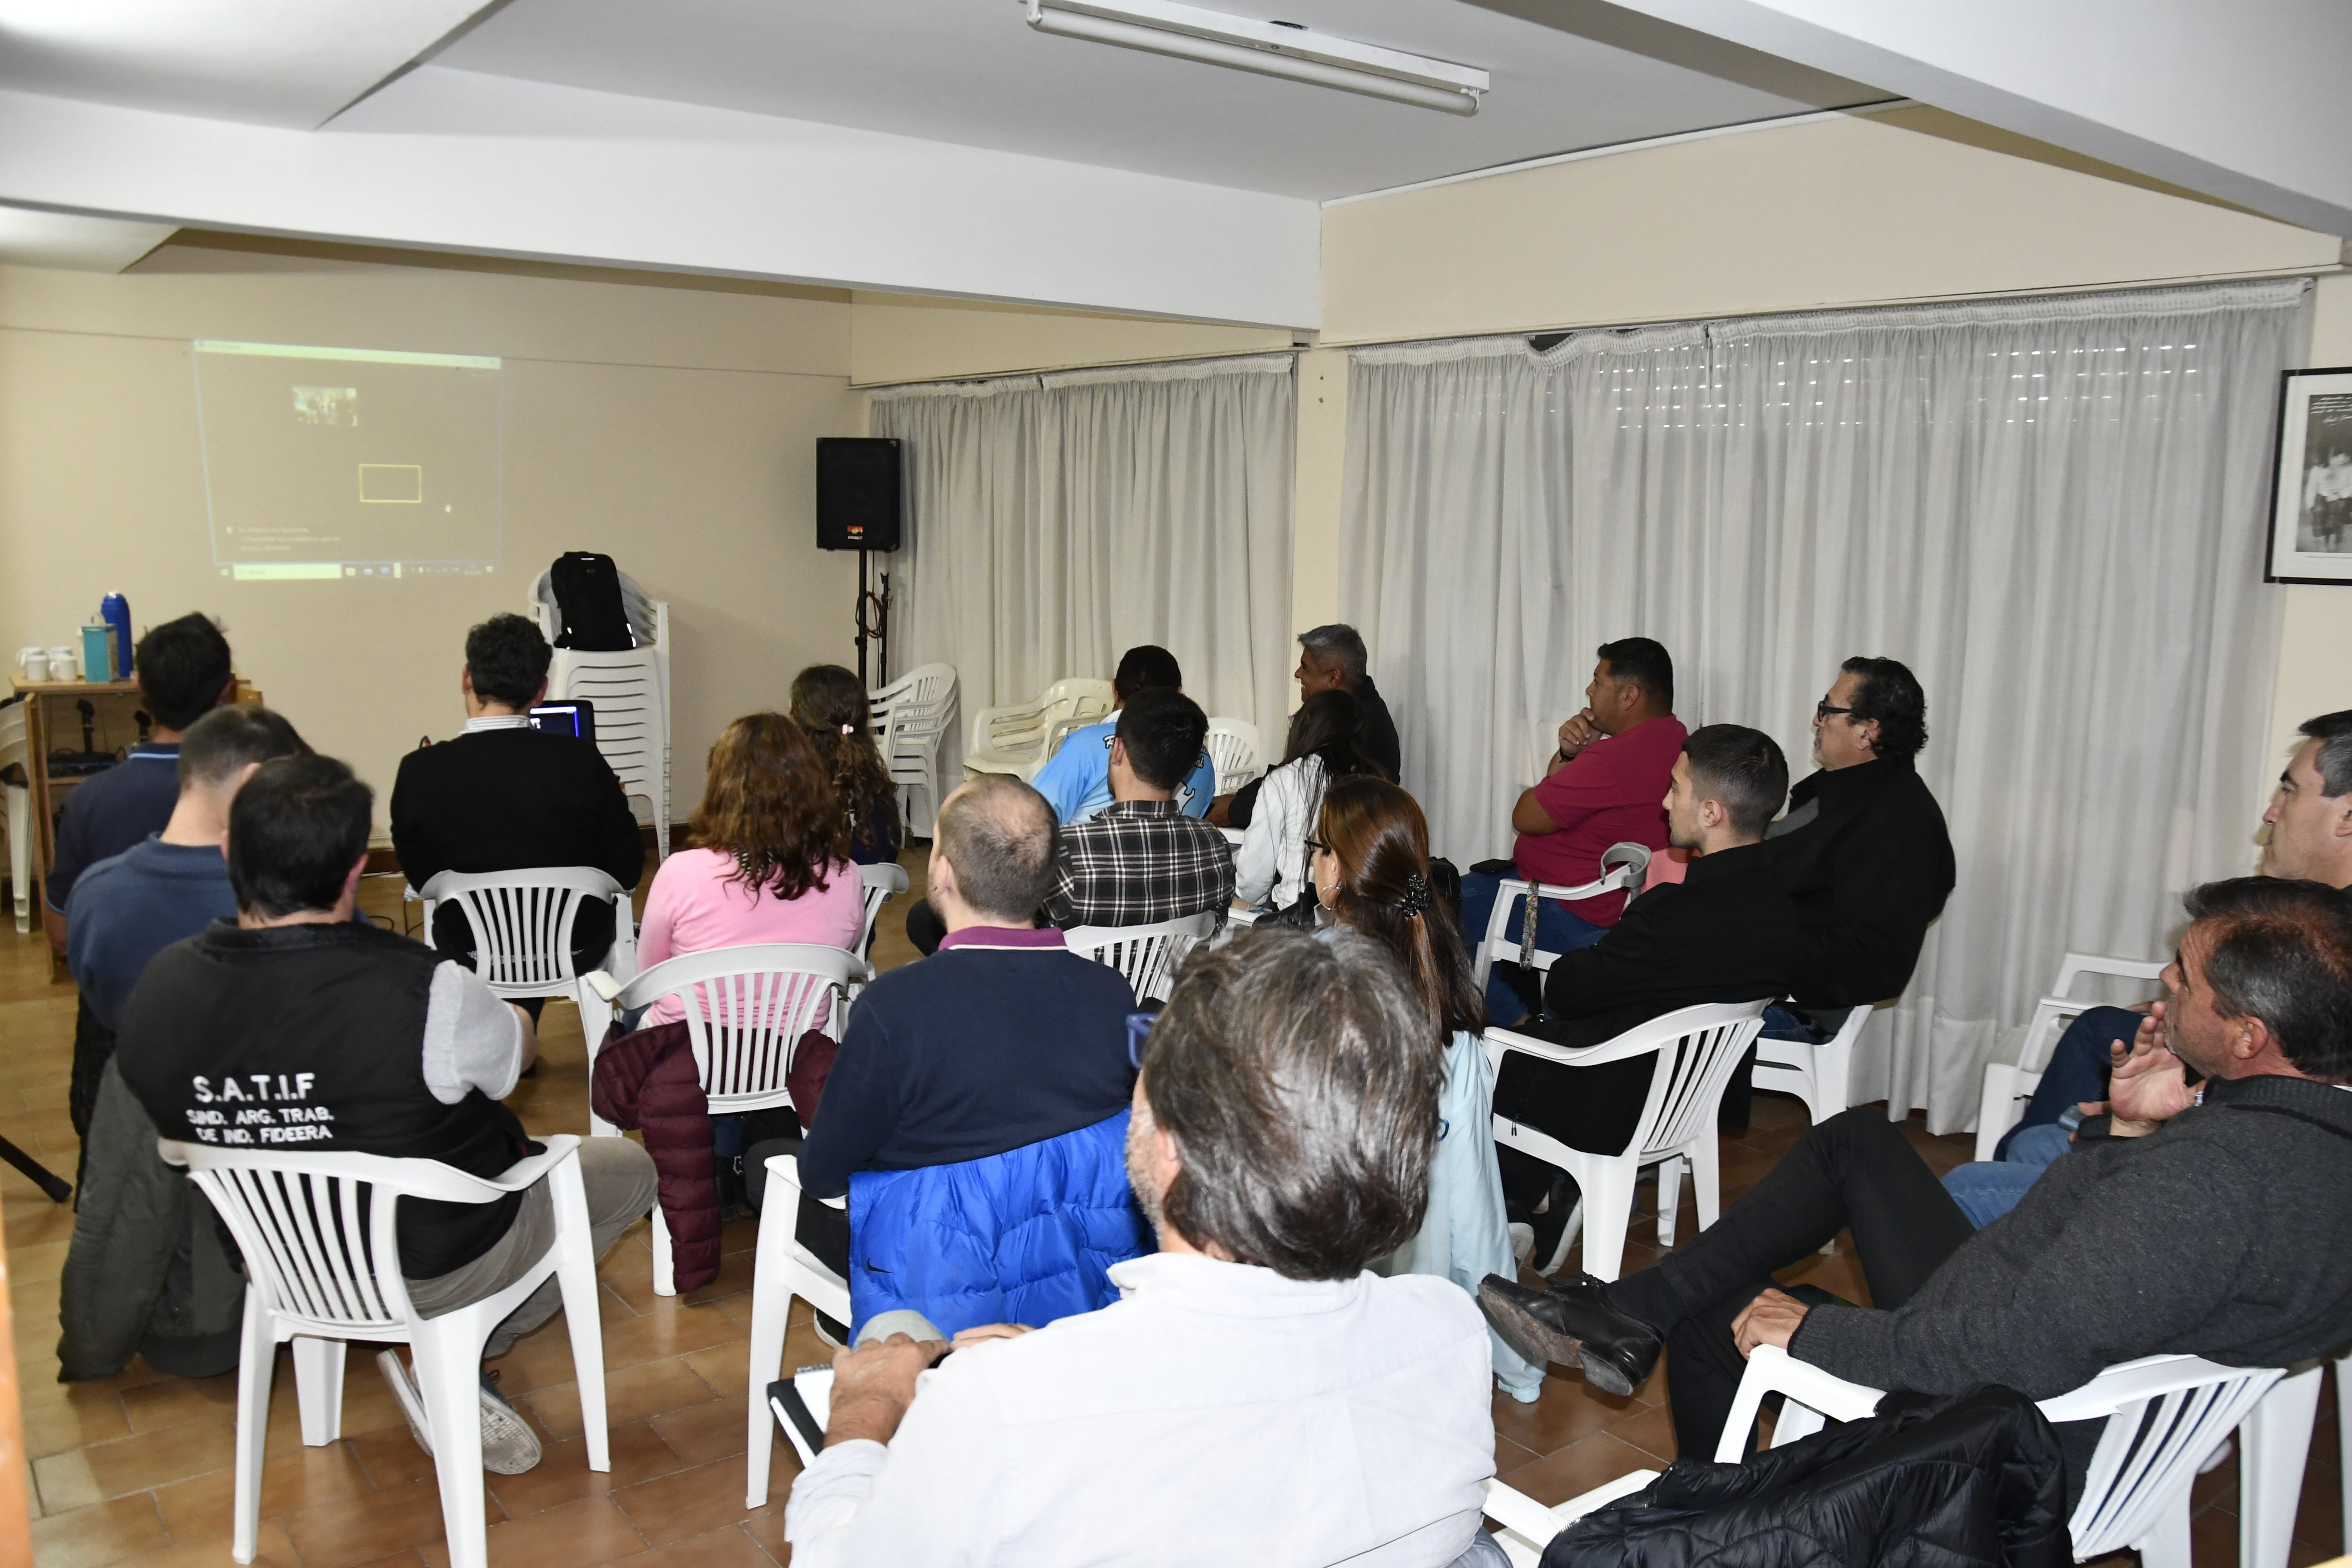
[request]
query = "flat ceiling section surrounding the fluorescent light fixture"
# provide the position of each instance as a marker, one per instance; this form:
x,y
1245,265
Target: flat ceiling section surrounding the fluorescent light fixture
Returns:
x,y
975,74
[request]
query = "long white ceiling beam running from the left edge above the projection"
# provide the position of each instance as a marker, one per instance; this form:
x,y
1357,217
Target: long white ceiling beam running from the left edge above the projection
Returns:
x,y
493,166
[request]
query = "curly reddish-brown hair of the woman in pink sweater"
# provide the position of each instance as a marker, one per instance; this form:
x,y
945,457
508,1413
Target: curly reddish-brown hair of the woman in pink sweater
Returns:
x,y
770,805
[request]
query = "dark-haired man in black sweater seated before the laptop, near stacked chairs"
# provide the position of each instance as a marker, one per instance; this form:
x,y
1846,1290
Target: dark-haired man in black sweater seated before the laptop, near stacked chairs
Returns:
x,y
507,798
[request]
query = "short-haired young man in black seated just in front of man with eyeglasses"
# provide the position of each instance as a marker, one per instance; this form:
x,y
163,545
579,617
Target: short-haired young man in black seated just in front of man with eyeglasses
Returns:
x,y
1723,934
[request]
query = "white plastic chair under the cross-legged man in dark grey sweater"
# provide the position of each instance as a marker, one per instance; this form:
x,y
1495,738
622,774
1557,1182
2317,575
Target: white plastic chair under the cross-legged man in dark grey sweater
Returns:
x,y
2165,1416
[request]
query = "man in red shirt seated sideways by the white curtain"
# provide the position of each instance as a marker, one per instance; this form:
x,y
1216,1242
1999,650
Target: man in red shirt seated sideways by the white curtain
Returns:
x,y
1605,786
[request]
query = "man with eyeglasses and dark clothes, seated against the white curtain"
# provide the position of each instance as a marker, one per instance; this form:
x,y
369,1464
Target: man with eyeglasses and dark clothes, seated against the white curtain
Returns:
x,y
1862,852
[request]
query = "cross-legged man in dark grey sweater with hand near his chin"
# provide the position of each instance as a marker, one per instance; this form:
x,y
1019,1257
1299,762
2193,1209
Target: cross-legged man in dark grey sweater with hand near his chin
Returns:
x,y
2191,1221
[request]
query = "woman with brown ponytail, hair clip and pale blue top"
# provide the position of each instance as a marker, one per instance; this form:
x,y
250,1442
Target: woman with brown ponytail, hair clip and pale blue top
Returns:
x,y
1372,873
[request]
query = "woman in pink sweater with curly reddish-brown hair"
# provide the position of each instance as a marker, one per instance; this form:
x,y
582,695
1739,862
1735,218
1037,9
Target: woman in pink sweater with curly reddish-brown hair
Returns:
x,y
770,857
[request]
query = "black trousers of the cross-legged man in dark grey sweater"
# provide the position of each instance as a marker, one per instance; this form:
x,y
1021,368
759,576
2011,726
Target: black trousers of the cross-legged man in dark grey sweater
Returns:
x,y
1850,1172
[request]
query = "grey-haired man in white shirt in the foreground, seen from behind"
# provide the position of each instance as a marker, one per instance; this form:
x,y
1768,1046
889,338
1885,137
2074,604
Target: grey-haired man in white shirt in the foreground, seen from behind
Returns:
x,y
1257,1398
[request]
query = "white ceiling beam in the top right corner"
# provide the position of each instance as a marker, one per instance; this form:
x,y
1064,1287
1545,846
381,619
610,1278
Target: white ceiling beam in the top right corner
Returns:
x,y
2240,102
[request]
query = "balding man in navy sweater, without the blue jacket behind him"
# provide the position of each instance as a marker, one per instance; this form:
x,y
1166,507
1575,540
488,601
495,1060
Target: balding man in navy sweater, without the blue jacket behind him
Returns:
x,y
1001,1040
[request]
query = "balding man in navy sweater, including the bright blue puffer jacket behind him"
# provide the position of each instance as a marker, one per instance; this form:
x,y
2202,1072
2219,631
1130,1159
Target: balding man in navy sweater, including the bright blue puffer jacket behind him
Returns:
x,y
977,1113
